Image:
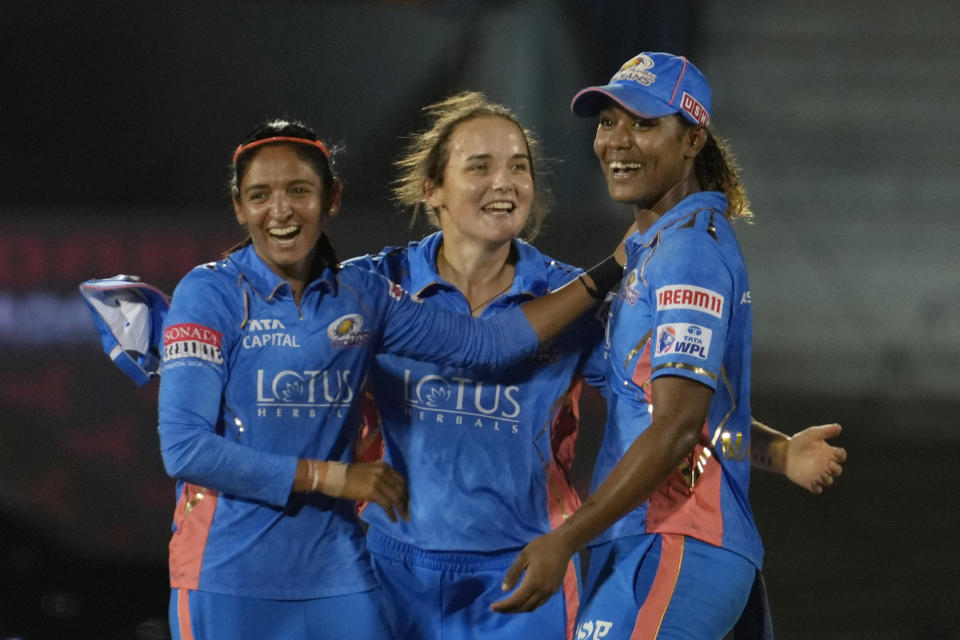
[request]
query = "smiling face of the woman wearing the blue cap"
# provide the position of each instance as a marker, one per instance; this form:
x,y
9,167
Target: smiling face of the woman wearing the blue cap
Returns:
x,y
647,162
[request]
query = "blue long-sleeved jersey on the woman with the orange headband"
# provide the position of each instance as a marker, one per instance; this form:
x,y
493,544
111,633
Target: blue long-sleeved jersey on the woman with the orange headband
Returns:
x,y
251,382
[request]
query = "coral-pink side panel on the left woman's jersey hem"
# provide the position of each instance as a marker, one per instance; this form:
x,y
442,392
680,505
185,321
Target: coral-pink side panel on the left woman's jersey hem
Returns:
x,y
190,539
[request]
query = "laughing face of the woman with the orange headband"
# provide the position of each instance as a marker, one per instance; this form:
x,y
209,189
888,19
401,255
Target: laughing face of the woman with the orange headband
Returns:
x,y
282,203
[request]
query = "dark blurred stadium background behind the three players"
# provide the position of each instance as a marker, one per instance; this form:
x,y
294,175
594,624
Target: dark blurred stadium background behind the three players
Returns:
x,y
119,120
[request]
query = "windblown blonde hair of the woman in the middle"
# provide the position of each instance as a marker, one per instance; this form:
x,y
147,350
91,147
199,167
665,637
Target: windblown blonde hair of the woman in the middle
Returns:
x,y
427,155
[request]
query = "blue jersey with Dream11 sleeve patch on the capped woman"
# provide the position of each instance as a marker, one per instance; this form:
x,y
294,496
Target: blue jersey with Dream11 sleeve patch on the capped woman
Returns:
x,y
683,309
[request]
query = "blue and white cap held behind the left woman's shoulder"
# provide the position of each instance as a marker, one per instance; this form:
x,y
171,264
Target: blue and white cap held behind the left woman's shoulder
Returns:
x,y
129,317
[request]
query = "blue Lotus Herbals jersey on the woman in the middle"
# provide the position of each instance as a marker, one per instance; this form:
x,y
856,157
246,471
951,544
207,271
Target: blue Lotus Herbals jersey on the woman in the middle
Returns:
x,y
485,455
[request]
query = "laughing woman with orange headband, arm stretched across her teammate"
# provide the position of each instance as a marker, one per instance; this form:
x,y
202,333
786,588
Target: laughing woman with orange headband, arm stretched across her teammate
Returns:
x,y
264,352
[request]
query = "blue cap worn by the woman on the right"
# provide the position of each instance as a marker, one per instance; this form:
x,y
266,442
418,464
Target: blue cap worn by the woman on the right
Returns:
x,y
651,85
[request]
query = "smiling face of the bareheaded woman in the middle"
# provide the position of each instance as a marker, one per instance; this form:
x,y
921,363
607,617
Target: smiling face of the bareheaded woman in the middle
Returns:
x,y
487,185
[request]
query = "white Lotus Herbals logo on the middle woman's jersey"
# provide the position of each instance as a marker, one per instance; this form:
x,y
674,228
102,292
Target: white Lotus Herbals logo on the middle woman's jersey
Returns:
x,y
462,401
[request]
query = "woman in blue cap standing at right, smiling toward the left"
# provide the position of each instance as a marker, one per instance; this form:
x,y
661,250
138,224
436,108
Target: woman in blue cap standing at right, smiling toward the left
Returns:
x,y
674,551
